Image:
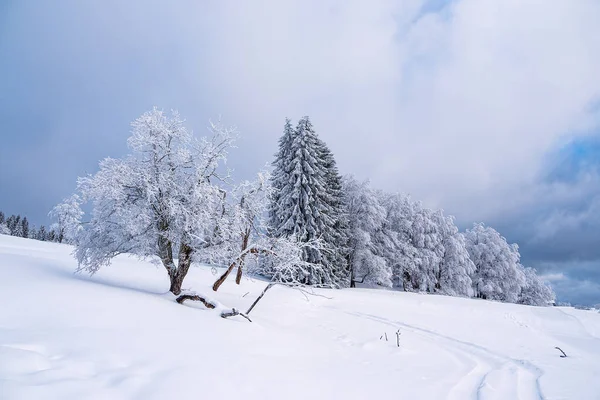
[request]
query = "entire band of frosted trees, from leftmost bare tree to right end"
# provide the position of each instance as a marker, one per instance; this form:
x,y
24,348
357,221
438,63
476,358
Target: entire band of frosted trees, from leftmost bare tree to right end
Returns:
x,y
304,223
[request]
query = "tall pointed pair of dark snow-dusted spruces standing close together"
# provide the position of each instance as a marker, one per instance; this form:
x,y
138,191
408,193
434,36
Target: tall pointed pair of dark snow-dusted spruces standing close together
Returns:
x,y
305,208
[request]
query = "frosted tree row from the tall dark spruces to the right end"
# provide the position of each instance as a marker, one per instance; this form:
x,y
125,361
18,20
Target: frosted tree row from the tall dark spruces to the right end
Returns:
x,y
386,239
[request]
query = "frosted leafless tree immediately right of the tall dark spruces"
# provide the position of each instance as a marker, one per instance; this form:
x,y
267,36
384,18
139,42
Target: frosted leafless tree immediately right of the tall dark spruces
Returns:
x,y
366,218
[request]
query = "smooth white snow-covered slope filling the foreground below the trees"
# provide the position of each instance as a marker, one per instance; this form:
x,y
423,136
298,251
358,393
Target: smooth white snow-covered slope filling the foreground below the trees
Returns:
x,y
118,335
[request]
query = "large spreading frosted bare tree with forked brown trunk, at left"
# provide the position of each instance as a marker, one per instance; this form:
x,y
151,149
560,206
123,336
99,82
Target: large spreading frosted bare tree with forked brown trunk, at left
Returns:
x,y
157,202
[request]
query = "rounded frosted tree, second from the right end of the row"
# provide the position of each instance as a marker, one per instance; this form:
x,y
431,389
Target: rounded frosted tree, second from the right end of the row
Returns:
x,y
498,275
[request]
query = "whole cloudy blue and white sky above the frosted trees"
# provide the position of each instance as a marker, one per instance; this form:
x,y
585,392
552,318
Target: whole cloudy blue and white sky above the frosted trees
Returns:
x,y
489,109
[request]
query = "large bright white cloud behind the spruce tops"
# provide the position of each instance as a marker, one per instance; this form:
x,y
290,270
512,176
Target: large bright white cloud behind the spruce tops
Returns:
x,y
457,106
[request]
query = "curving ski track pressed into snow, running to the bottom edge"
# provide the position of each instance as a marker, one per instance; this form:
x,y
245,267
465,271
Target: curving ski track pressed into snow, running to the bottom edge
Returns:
x,y
493,376
